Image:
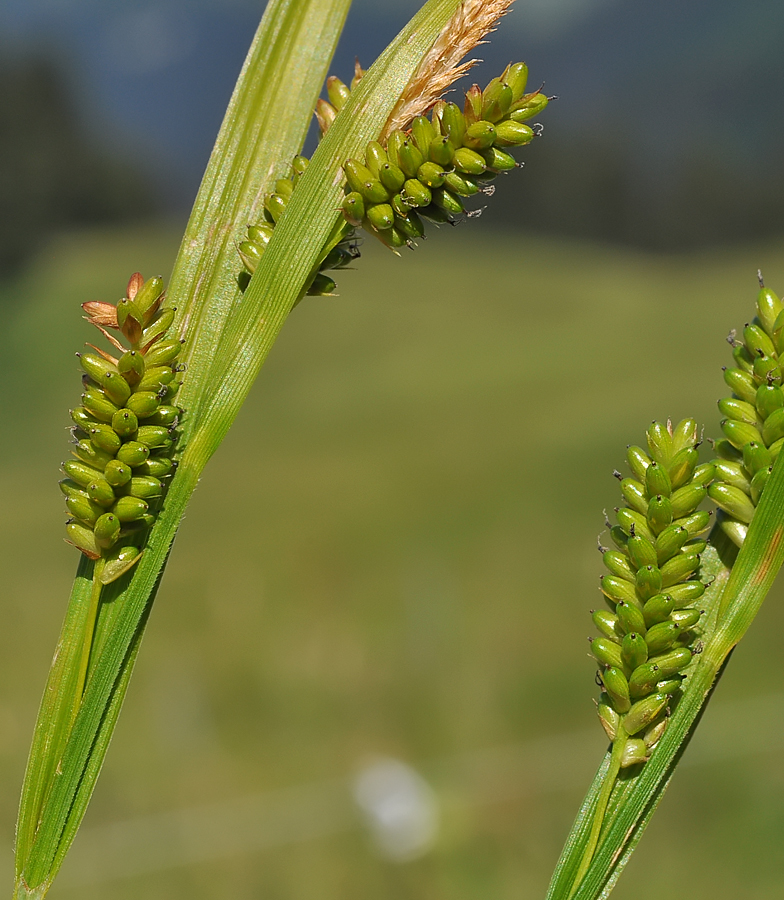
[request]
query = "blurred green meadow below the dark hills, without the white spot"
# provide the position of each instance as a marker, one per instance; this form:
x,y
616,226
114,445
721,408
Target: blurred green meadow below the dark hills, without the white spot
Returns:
x,y
392,555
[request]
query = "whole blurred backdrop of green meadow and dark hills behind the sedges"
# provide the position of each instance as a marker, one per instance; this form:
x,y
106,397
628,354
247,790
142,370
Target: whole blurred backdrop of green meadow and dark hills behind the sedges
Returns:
x,y
366,674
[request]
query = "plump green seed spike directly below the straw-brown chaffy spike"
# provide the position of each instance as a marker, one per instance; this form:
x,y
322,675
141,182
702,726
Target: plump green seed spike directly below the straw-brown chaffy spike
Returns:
x,y
429,170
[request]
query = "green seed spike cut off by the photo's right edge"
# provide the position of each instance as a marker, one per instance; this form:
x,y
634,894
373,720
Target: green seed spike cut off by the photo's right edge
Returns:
x,y
754,424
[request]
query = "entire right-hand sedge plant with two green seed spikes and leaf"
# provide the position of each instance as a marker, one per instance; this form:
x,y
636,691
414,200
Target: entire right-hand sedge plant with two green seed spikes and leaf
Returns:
x,y
680,595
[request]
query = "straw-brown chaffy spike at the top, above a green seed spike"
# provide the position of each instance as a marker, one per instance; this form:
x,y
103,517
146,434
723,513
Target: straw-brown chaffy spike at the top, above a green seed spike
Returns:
x,y
441,66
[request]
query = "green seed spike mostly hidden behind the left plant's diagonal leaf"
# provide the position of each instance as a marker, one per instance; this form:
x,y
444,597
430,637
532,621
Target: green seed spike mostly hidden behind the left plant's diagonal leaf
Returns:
x,y
251,249
